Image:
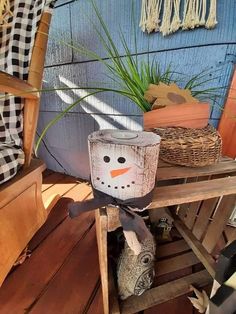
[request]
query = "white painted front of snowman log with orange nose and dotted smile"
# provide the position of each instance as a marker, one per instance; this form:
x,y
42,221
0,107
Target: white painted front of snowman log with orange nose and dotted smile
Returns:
x,y
116,170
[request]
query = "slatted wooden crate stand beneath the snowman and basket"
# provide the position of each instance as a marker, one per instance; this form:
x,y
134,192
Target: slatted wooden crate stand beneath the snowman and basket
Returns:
x,y
202,200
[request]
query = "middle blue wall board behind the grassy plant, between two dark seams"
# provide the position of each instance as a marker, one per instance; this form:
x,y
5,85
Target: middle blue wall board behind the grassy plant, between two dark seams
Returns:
x,y
187,61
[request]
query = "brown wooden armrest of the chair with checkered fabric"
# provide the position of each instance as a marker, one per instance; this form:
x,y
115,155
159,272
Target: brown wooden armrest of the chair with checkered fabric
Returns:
x,y
17,87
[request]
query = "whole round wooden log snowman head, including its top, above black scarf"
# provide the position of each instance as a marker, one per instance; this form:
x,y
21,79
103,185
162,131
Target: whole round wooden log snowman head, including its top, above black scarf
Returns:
x,y
120,163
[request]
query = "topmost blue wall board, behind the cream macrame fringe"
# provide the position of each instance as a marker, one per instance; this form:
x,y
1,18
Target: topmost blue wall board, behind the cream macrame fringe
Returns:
x,y
118,14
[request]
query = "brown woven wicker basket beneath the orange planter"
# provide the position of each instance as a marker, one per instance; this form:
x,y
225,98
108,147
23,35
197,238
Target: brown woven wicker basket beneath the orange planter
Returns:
x,y
190,147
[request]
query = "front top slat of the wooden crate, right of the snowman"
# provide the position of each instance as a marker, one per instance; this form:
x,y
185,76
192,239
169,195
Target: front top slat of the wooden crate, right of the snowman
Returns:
x,y
190,192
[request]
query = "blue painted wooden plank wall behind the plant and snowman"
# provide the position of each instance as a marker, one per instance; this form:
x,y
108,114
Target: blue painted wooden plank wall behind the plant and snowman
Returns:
x,y
189,52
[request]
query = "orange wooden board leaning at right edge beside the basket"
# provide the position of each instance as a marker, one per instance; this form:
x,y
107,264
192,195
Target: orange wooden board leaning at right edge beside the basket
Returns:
x,y
227,125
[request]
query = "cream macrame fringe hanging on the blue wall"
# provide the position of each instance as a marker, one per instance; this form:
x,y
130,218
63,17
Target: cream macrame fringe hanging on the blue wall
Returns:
x,y
164,15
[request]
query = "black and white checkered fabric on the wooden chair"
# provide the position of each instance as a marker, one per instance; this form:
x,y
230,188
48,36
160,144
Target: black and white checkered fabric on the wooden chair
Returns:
x,y
16,43
